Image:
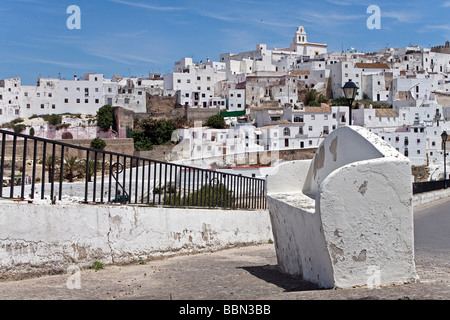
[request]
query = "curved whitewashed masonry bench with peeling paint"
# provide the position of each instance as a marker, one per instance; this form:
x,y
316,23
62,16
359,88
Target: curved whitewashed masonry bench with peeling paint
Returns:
x,y
346,217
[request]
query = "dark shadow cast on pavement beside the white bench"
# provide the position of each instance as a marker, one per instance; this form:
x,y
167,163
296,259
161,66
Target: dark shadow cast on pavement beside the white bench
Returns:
x,y
273,274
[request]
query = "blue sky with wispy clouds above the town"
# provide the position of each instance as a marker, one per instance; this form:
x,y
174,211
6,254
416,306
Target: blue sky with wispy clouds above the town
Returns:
x,y
135,37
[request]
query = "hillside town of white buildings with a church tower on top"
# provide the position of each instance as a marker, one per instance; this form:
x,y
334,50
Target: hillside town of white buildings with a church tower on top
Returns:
x,y
282,101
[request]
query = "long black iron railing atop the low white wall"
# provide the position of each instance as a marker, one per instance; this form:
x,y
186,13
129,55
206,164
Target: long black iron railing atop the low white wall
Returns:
x,y
36,168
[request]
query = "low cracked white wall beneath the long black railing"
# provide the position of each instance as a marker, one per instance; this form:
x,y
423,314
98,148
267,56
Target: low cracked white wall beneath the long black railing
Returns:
x,y
45,239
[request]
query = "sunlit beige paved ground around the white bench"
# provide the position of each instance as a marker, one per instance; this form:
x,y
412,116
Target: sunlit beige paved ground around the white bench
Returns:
x,y
248,273
